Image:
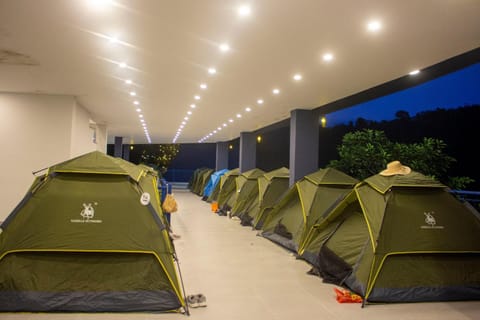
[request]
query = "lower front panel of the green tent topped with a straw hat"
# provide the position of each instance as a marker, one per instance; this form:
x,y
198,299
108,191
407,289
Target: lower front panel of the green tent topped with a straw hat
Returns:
x,y
426,277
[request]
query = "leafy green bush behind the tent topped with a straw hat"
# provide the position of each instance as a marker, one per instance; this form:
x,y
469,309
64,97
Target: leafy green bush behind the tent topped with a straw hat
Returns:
x,y
366,152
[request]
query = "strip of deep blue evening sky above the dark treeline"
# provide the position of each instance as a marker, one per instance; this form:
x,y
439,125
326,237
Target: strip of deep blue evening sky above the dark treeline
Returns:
x,y
454,90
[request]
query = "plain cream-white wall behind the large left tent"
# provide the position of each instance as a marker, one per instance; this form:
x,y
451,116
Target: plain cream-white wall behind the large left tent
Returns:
x,y
37,131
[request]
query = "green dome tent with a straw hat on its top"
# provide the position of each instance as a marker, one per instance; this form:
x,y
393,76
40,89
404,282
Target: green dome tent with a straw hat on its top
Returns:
x,y
400,238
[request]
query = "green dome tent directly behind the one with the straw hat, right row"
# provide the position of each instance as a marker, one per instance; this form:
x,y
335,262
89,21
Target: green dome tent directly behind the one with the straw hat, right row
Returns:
x,y
307,202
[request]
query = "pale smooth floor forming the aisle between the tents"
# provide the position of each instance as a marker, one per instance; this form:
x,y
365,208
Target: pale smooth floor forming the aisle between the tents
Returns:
x,y
247,277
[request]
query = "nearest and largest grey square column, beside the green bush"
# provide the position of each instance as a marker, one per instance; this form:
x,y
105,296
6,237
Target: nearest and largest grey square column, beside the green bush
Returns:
x,y
304,131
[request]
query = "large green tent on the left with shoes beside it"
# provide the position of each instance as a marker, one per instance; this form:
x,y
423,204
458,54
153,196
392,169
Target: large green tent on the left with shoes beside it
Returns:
x,y
89,236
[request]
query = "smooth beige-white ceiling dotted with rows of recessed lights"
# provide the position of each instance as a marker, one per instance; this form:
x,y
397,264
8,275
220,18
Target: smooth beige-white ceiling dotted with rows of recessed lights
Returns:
x,y
75,47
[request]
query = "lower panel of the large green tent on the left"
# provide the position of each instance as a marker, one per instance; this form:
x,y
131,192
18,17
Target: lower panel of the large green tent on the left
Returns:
x,y
43,281
